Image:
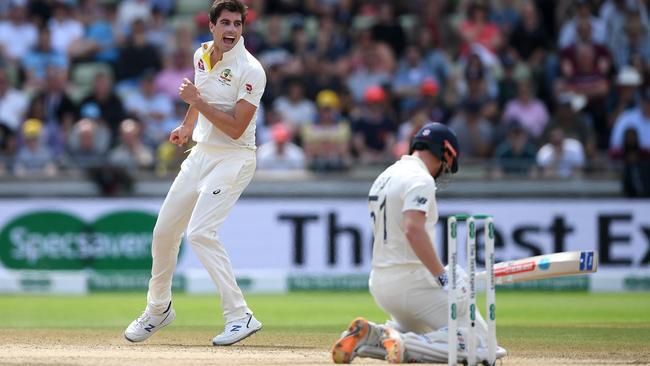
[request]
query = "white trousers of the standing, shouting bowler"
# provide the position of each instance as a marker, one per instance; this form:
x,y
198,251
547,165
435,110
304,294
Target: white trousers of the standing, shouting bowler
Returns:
x,y
209,183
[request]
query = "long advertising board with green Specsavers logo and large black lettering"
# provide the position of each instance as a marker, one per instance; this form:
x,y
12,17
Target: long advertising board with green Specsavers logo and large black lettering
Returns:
x,y
305,236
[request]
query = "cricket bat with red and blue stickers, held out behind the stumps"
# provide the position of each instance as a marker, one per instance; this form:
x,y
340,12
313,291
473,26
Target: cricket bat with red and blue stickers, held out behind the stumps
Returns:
x,y
544,266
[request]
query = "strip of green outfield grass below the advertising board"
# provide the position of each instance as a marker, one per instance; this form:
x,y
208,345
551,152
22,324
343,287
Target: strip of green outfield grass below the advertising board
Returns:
x,y
528,323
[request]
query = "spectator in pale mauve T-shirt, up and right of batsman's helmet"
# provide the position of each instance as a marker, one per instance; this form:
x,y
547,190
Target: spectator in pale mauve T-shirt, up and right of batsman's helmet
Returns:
x,y
527,110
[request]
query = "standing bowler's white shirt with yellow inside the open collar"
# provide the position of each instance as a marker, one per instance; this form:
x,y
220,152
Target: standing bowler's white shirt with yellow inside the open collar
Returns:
x,y
238,75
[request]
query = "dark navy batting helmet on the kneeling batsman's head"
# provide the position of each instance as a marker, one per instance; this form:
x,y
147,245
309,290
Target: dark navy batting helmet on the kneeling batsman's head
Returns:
x,y
441,141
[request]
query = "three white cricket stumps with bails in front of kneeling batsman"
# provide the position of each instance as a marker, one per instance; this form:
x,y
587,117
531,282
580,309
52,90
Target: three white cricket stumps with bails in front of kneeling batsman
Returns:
x,y
452,261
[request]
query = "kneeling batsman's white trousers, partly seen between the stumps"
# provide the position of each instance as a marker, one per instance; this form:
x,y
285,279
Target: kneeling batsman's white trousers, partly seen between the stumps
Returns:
x,y
415,300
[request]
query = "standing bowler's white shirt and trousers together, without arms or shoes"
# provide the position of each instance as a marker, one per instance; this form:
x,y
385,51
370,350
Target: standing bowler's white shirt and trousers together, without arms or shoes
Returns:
x,y
210,181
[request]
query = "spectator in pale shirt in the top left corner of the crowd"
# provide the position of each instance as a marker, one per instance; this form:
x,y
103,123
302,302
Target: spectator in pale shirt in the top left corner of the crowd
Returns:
x,y
17,34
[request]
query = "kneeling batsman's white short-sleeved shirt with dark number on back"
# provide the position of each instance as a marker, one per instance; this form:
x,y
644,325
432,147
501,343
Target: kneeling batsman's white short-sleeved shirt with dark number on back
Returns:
x,y
405,185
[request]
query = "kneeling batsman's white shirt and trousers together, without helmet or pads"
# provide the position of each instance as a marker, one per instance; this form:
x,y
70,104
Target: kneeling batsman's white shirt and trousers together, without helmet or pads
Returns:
x,y
400,284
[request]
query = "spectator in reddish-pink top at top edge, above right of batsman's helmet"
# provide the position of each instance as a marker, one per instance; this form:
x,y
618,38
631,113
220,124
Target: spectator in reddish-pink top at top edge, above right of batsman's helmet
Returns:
x,y
477,29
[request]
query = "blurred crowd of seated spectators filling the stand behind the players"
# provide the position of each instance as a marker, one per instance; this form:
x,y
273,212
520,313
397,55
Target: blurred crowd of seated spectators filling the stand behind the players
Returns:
x,y
532,88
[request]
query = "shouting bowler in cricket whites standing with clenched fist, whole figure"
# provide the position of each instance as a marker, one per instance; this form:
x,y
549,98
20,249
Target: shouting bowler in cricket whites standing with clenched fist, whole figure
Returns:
x,y
228,85
